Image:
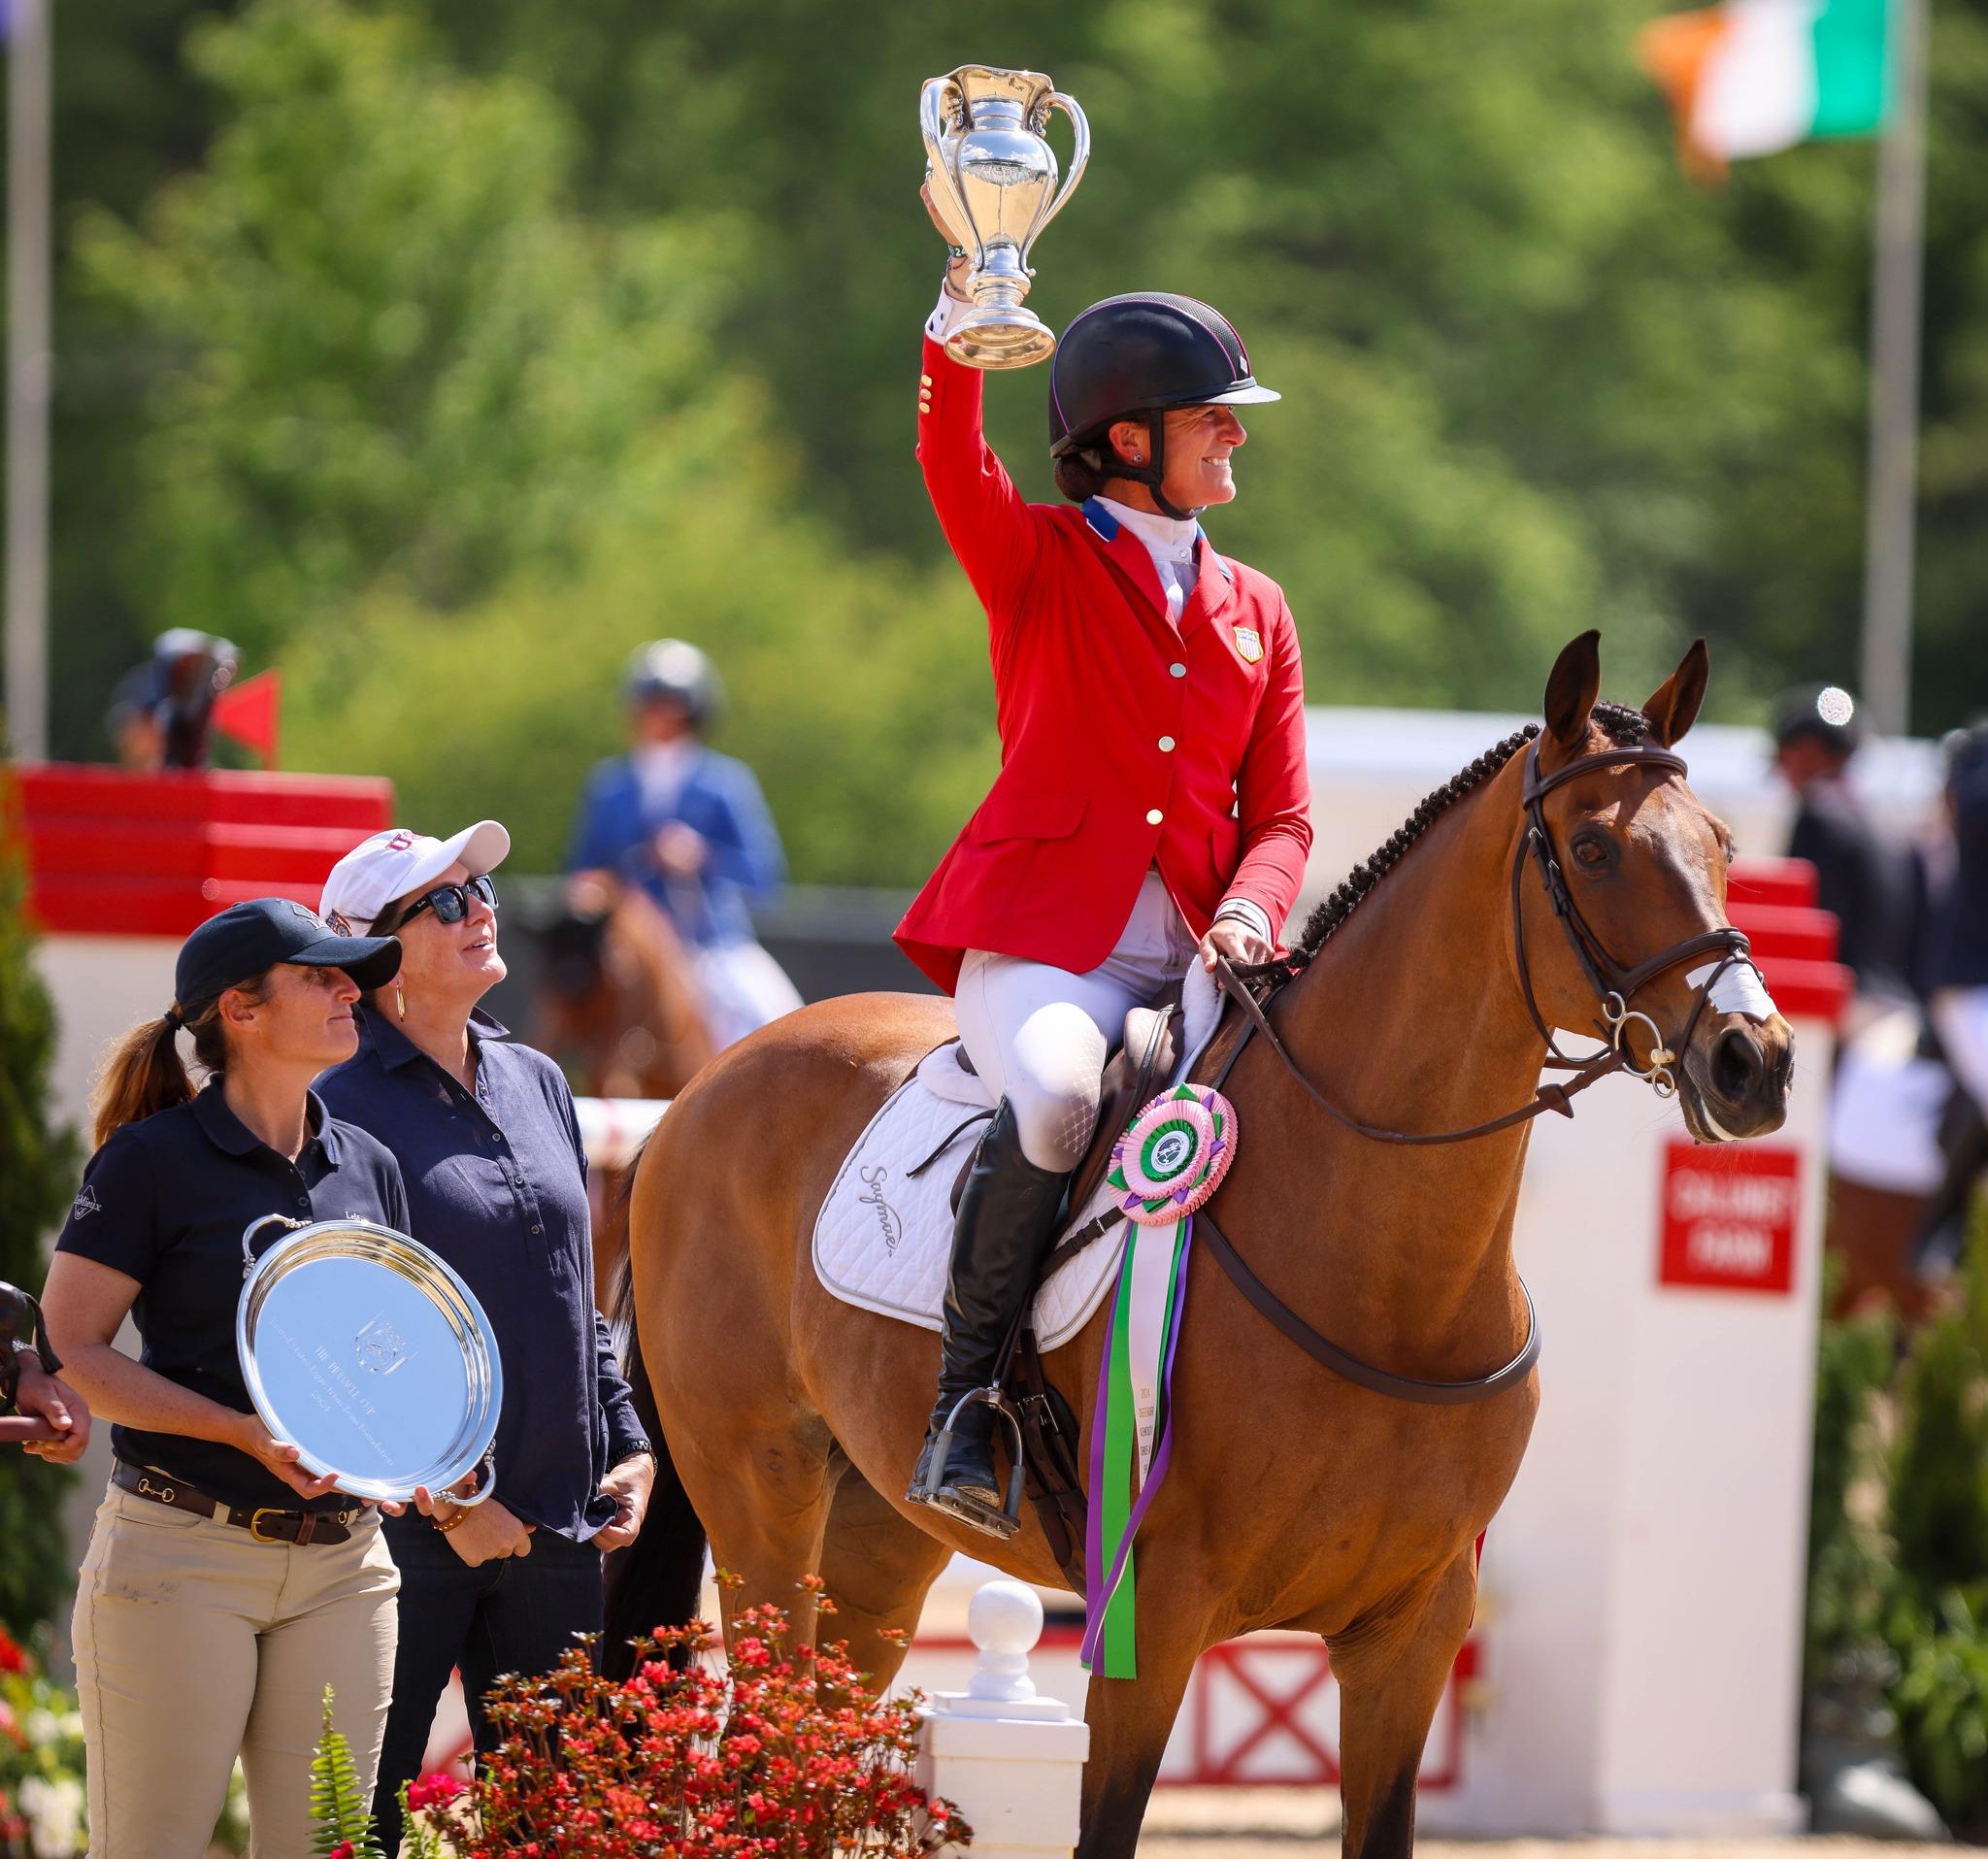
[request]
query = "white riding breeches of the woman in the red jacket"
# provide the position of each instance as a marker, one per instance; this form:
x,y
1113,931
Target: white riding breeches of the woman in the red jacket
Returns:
x,y
1041,1035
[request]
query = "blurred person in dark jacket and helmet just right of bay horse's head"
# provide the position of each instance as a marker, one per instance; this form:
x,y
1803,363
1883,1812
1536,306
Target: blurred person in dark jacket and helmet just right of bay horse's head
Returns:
x,y
1874,888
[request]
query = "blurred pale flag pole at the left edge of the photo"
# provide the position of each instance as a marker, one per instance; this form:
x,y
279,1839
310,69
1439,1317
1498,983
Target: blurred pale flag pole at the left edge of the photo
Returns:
x,y
29,369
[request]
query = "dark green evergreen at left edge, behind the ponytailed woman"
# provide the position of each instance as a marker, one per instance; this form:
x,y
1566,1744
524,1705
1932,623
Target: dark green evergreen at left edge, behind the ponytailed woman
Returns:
x,y
39,1168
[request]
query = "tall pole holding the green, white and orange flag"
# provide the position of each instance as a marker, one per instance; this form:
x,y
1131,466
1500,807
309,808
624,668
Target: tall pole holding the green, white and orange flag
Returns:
x,y
1896,325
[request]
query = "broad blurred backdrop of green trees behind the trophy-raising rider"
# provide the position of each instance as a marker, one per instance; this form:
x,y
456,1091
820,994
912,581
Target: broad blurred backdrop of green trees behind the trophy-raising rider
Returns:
x,y
470,317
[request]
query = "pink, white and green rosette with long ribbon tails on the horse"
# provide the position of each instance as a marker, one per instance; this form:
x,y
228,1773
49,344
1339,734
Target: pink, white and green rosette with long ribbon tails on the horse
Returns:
x,y
1164,1168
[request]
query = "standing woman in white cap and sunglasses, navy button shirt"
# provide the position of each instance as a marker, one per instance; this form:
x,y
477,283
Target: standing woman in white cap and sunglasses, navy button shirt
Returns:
x,y
492,1154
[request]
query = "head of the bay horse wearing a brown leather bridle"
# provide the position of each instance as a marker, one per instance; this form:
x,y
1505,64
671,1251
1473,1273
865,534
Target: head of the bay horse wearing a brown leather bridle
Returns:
x,y
1625,906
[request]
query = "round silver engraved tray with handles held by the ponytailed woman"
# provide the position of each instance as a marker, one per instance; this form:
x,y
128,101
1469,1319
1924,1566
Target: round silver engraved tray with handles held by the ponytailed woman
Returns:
x,y
371,1355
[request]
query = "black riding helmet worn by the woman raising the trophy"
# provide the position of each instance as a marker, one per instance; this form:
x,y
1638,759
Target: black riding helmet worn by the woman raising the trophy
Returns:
x,y
1142,355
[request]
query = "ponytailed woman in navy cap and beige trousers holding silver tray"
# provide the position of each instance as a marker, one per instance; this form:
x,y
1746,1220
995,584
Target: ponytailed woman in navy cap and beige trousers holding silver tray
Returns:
x,y
224,1588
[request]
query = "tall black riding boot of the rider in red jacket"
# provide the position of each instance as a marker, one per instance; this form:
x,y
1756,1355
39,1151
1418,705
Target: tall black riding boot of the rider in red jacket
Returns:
x,y
1005,1228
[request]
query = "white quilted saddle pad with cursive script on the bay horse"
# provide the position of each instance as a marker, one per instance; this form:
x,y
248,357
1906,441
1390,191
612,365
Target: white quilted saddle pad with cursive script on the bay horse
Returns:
x,y
884,1236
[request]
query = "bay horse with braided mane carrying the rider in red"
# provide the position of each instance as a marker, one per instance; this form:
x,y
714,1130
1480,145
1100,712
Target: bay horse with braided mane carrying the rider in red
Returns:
x,y
1297,1498
